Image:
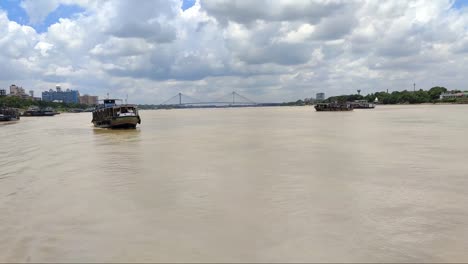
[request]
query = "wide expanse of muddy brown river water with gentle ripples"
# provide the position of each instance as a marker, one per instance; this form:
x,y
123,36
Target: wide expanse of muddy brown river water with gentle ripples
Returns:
x,y
284,184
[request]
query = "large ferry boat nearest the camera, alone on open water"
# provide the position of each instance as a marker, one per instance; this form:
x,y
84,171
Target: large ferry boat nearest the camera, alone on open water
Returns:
x,y
111,115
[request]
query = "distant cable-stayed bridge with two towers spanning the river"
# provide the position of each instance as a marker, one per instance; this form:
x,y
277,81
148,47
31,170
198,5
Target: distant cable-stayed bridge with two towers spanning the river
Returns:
x,y
231,99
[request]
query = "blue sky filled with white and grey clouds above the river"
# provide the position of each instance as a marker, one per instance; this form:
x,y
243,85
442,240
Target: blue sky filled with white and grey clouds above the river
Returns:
x,y
267,50
